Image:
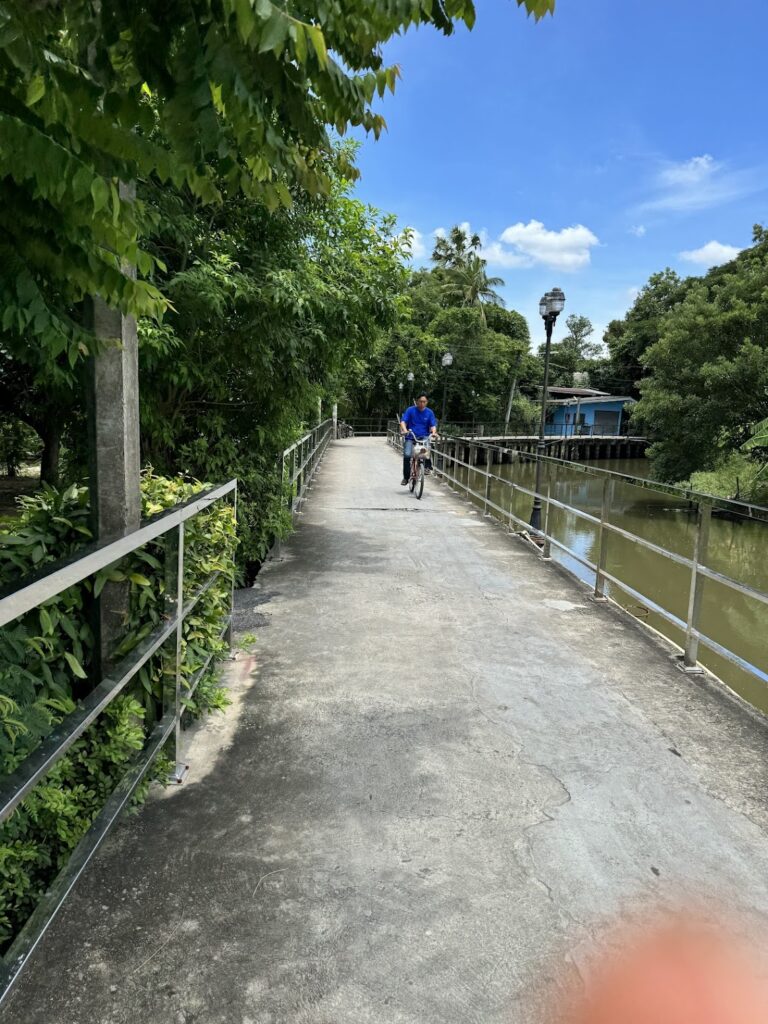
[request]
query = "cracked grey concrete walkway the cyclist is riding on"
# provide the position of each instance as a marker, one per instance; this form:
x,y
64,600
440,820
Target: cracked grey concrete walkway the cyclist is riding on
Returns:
x,y
444,773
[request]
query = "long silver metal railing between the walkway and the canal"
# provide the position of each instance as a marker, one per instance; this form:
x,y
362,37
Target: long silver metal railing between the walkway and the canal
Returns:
x,y
694,635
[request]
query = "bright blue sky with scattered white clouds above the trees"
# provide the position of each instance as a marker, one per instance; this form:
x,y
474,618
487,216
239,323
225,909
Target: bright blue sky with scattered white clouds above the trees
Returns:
x,y
591,150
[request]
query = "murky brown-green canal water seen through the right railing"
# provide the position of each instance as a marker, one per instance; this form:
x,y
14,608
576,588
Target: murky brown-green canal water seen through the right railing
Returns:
x,y
736,549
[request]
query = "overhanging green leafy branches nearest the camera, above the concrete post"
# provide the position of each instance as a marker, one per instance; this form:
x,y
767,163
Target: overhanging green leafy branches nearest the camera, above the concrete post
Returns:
x,y
205,96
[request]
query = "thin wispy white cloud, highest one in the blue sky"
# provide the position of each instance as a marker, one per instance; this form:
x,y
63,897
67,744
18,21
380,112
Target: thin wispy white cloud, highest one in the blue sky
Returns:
x,y
700,184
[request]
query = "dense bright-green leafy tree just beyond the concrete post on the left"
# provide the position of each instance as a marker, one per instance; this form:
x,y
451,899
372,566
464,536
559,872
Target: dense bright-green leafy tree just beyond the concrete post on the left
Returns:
x,y
271,312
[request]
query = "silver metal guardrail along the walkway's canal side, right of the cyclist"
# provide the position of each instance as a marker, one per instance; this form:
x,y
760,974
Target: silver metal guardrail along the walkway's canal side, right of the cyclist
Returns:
x,y
446,460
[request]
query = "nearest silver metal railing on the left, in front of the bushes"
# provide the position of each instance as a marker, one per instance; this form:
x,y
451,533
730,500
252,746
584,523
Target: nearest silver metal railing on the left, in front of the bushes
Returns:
x,y
52,583
